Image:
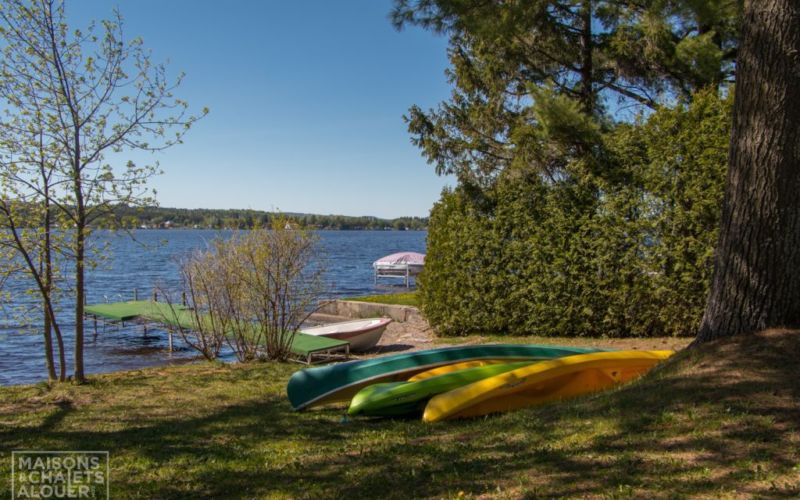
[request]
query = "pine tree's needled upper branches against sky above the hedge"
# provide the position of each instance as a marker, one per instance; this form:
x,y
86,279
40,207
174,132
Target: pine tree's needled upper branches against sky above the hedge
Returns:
x,y
534,81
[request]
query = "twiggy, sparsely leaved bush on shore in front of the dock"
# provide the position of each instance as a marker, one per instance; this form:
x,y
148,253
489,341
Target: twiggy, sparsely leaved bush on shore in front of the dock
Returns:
x,y
252,292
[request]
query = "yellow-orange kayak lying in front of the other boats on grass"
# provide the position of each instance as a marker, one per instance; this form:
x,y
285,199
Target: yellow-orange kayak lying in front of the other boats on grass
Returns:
x,y
541,382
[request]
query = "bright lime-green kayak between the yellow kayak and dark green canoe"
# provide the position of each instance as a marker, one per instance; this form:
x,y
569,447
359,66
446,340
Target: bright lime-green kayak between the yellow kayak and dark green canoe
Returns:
x,y
392,399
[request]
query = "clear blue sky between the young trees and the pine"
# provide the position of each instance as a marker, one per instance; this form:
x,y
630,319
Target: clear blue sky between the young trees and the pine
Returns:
x,y
306,102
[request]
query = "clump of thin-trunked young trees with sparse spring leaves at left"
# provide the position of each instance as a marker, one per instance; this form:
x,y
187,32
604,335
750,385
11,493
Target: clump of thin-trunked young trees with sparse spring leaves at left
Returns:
x,y
70,101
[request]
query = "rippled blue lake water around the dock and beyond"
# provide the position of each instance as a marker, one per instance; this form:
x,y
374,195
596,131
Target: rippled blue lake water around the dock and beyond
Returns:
x,y
151,261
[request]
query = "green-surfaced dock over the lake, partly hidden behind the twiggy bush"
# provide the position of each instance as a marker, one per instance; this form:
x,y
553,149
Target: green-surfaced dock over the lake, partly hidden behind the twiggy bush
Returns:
x,y
180,317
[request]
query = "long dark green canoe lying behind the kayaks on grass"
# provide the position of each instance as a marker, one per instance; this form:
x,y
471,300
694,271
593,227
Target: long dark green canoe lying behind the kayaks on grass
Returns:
x,y
341,381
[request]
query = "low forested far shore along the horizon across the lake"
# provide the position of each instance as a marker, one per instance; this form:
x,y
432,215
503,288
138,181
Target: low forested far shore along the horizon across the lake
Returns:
x,y
201,218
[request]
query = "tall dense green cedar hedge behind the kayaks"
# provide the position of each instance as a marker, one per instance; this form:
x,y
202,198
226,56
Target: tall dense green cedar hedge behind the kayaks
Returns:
x,y
621,249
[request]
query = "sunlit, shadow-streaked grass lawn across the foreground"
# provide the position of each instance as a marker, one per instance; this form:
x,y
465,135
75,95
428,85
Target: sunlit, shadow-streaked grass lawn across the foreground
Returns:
x,y
723,420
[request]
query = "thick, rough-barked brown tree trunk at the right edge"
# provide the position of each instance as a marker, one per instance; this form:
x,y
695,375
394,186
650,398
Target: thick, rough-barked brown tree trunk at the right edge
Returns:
x,y
756,281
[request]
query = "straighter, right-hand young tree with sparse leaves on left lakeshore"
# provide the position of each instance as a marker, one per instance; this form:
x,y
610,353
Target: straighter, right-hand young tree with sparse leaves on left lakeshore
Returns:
x,y
98,94
